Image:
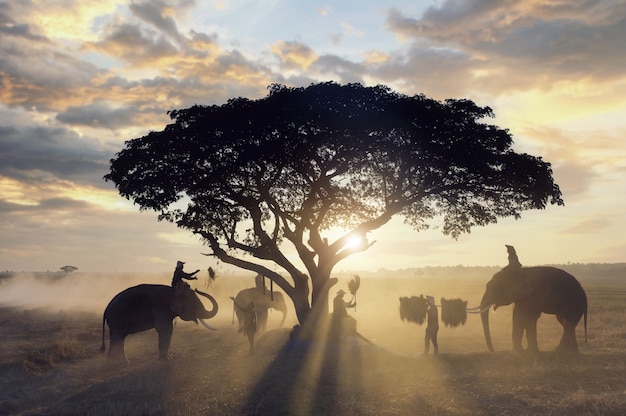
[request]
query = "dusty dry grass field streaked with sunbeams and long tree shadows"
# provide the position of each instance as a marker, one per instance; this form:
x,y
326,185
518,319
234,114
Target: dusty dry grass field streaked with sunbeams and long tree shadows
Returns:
x,y
50,363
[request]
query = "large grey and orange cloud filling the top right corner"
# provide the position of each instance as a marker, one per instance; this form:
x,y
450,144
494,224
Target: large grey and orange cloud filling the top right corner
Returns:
x,y
566,40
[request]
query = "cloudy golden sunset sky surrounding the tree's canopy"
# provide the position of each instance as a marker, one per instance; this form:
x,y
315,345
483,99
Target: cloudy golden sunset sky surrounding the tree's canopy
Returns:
x,y
79,78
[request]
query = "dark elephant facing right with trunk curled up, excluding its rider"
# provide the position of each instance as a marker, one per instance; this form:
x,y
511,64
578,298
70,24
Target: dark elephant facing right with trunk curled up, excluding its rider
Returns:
x,y
147,306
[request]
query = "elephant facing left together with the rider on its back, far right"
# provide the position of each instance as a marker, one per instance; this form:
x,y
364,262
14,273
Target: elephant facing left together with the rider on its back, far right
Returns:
x,y
535,290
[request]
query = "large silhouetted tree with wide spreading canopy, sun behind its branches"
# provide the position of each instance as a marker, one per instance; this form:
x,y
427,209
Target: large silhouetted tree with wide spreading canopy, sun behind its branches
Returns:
x,y
254,178
